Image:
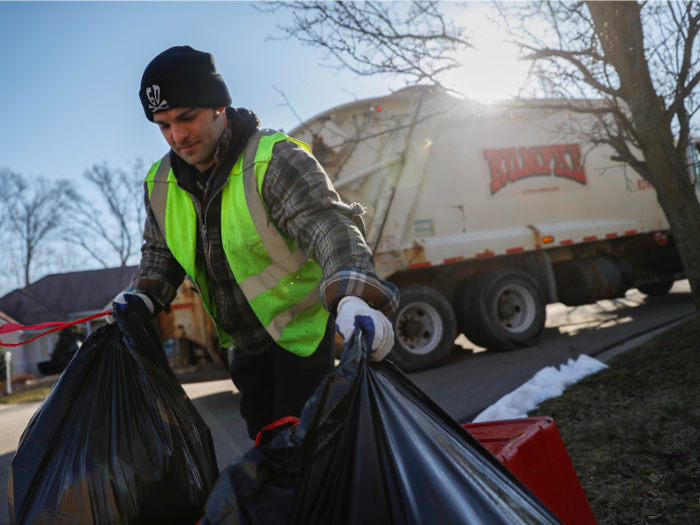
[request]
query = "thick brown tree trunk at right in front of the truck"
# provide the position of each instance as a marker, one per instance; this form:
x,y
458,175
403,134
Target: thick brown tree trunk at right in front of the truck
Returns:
x,y
619,26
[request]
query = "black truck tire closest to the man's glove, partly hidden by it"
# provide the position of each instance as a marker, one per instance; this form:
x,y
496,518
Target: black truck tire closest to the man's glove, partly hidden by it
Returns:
x,y
424,329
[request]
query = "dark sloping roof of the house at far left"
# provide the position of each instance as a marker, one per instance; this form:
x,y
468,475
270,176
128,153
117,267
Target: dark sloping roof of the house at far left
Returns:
x,y
59,296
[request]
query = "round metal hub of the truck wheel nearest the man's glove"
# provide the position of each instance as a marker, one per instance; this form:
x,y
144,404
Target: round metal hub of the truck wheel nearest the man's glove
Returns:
x,y
419,328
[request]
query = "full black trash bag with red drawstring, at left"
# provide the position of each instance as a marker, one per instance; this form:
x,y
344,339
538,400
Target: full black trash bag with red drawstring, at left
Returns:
x,y
117,441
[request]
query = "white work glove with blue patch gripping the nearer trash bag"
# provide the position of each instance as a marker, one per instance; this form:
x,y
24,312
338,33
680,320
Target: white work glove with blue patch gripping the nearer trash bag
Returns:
x,y
354,313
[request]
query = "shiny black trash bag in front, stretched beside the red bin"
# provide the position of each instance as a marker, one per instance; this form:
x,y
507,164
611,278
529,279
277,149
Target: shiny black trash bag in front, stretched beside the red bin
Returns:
x,y
371,448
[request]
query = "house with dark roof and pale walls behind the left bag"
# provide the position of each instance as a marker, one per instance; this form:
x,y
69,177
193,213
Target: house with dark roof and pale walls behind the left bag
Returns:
x,y
58,297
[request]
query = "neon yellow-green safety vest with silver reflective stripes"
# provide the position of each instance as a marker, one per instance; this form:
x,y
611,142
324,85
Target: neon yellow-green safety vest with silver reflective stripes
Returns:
x,y
278,280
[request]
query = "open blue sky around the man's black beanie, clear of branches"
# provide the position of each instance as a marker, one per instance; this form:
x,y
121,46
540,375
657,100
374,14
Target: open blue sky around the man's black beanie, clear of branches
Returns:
x,y
70,73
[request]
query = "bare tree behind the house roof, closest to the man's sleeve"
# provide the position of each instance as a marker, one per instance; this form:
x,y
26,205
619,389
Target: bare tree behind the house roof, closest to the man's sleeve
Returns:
x,y
110,231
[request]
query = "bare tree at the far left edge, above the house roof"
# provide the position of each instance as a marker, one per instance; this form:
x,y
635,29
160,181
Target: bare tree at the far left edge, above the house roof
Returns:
x,y
35,209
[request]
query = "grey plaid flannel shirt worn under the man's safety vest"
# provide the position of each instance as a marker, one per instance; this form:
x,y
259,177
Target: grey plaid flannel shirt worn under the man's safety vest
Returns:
x,y
306,207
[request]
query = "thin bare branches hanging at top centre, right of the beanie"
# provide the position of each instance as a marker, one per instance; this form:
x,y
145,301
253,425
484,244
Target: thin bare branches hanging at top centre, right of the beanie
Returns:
x,y
413,39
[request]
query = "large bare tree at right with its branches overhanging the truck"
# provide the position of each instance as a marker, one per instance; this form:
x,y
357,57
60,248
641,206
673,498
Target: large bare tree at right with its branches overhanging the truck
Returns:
x,y
633,65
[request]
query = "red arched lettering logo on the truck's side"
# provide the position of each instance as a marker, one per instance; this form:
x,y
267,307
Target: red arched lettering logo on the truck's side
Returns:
x,y
509,165
